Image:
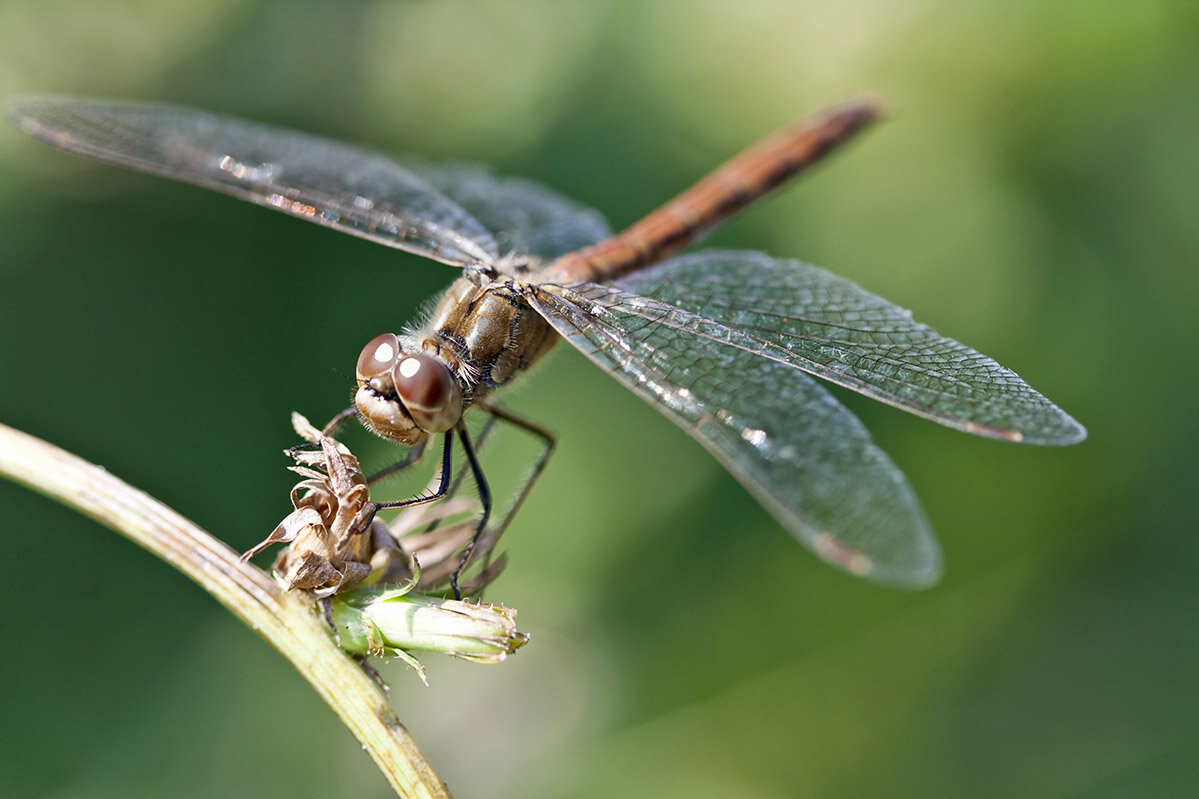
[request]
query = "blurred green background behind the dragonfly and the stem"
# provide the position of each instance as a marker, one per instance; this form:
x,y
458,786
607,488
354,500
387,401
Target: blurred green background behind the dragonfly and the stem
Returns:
x,y
1033,195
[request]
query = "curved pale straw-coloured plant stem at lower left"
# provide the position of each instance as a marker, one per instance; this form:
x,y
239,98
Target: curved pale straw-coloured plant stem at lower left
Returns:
x,y
287,621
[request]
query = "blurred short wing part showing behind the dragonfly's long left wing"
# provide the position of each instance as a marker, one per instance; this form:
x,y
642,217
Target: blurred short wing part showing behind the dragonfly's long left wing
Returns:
x,y
527,218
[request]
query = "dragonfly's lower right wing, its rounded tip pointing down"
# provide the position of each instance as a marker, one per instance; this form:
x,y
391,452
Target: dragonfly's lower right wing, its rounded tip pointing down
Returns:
x,y
798,450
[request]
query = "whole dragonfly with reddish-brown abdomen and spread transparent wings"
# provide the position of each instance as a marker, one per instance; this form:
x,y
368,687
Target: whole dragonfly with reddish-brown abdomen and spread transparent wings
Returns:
x,y
726,344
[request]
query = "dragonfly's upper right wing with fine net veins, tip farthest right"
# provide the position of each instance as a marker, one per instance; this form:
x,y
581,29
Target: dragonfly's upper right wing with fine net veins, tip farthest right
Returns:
x,y
810,319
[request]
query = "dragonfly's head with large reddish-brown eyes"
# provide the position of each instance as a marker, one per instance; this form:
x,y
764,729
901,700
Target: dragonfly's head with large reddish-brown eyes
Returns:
x,y
402,397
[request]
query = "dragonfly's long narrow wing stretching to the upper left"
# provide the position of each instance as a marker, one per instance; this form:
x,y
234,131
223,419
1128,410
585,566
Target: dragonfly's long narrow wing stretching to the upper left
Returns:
x,y
336,185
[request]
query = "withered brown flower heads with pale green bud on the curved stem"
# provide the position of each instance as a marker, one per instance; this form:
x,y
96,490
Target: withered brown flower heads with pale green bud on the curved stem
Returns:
x,y
338,548
